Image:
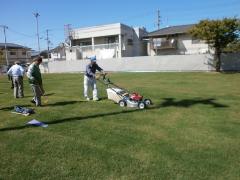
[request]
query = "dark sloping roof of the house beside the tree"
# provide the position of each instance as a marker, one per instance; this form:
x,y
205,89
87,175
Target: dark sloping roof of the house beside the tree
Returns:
x,y
182,29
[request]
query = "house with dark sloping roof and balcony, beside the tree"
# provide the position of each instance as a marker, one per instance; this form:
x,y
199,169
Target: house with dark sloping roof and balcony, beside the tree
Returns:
x,y
175,40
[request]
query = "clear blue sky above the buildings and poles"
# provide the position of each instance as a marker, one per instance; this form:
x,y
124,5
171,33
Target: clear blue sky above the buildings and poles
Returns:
x,y
18,15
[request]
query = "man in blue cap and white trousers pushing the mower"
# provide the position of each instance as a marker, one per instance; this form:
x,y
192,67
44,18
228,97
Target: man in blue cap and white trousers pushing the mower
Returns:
x,y
90,78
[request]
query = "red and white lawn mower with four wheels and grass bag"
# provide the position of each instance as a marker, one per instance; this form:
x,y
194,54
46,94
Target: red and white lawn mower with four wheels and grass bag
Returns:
x,y
122,96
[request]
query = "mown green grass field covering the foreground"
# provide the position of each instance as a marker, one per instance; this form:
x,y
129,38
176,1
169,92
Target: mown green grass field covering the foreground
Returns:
x,y
191,132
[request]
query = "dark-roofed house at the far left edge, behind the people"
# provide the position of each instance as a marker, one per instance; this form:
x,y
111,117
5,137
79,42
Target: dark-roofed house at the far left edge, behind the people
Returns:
x,y
15,52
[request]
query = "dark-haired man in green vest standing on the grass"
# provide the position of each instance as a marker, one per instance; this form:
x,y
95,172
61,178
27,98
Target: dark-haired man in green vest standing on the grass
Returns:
x,y
35,81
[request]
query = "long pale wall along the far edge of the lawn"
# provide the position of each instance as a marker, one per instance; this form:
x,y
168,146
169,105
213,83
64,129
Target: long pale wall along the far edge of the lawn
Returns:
x,y
200,62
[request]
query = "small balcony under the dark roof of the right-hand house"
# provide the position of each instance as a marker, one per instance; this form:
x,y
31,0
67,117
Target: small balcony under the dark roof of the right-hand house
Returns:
x,y
164,44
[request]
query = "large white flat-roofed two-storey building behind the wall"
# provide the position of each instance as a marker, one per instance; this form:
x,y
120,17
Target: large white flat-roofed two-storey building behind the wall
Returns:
x,y
107,41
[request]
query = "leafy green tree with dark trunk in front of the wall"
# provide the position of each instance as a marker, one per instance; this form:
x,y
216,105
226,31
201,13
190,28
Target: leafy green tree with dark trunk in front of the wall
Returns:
x,y
218,34
